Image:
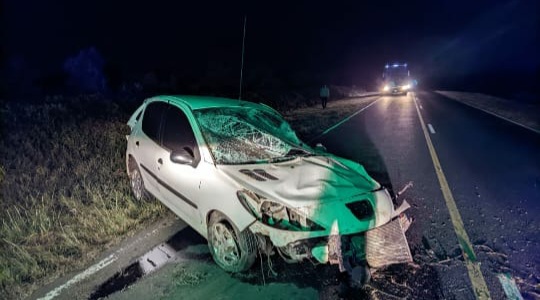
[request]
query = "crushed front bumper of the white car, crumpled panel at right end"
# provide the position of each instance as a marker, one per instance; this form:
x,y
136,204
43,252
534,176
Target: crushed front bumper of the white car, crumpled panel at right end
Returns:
x,y
380,246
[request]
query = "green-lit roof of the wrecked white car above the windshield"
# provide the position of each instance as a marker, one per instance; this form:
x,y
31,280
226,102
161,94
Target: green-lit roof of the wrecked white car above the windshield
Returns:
x,y
200,102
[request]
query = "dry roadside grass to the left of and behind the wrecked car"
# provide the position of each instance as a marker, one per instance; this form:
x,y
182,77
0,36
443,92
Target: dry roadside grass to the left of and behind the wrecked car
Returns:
x,y
64,192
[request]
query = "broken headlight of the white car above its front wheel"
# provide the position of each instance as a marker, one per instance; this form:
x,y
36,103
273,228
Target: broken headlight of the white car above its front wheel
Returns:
x,y
275,214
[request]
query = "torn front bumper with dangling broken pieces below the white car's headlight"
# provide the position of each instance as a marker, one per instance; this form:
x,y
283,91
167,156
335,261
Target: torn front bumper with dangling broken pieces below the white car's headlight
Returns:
x,y
369,250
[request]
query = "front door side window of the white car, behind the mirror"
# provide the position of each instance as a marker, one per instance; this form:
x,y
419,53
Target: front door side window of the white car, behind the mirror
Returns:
x,y
177,132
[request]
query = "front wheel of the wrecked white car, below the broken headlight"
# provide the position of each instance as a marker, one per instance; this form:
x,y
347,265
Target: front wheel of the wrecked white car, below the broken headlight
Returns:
x,y
232,250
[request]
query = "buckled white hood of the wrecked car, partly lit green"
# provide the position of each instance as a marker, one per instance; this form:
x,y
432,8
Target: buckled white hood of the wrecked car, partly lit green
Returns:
x,y
304,179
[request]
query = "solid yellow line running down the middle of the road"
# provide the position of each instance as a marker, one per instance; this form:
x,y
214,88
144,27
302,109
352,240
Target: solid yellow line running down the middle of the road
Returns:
x,y
480,288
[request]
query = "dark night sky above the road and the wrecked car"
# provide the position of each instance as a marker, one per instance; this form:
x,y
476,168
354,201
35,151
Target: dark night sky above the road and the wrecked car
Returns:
x,y
338,41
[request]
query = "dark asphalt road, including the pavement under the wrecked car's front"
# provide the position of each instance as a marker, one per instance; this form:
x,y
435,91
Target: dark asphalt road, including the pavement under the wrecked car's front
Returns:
x,y
492,171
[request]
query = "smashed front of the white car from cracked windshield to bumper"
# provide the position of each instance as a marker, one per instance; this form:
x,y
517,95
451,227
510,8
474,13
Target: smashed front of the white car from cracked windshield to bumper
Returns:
x,y
306,205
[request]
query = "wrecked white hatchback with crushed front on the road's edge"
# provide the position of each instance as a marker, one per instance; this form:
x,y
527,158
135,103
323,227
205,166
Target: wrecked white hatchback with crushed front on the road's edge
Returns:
x,y
237,173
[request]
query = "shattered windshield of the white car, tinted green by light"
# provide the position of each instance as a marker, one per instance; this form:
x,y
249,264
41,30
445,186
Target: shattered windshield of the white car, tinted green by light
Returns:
x,y
247,135
